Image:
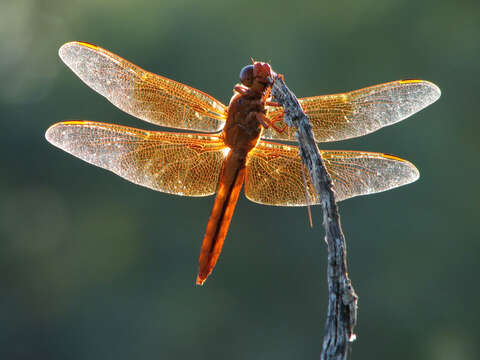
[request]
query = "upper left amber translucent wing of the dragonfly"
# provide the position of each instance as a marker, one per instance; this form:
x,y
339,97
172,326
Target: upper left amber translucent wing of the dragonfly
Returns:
x,y
147,96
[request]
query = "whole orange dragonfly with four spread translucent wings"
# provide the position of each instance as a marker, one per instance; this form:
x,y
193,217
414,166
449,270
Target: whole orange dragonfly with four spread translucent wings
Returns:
x,y
226,147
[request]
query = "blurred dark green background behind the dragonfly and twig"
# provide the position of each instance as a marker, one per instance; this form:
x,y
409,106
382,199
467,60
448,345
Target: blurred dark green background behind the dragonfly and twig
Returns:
x,y
93,267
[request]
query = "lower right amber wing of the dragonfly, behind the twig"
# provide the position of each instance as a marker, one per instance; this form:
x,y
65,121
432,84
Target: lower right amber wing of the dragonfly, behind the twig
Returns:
x,y
274,174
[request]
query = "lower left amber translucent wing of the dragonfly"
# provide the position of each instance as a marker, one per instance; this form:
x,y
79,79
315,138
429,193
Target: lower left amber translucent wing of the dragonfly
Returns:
x,y
175,163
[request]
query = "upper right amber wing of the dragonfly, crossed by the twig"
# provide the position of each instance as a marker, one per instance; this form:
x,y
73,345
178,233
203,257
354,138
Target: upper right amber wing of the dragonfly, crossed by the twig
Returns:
x,y
360,112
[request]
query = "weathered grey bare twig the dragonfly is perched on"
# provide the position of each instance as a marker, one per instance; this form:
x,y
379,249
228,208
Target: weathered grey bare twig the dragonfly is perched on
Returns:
x,y
342,300
